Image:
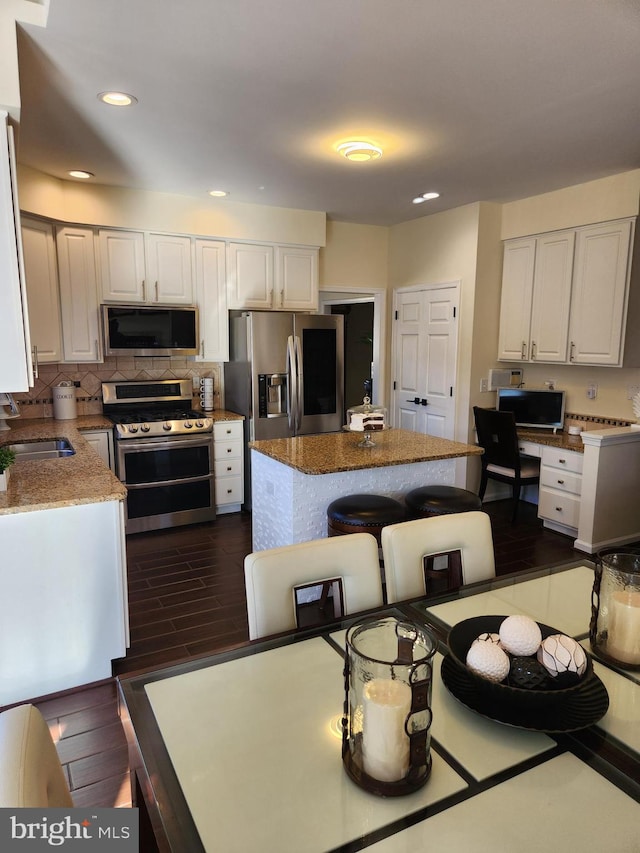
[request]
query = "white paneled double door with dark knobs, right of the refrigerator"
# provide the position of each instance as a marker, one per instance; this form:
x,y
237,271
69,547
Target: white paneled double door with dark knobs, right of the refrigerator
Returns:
x,y
425,359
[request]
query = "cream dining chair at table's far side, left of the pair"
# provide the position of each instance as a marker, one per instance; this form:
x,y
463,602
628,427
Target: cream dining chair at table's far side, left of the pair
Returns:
x,y
271,577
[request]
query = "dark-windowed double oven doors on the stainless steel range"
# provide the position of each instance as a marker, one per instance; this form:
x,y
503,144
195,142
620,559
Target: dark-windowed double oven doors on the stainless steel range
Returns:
x,y
169,481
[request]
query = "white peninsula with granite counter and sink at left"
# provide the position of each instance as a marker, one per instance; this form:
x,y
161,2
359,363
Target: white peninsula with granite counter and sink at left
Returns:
x,y
63,609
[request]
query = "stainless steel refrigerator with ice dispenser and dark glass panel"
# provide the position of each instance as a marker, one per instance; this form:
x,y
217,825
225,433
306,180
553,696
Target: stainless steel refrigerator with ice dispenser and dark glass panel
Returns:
x,y
285,375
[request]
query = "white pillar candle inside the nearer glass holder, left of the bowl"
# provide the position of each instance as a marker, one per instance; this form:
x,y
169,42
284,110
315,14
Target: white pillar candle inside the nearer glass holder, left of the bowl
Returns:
x,y
385,744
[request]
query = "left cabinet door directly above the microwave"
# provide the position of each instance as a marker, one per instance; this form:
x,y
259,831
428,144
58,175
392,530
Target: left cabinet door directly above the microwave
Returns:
x,y
122,269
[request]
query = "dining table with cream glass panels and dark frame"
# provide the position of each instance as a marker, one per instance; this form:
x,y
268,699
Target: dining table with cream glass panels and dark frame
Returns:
x,y
235,752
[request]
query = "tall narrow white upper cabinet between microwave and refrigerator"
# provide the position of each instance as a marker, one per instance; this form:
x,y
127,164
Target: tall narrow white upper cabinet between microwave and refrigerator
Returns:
x,y
211,299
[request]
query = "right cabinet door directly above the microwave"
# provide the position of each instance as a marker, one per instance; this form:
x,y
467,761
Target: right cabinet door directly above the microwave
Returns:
x,y
169,278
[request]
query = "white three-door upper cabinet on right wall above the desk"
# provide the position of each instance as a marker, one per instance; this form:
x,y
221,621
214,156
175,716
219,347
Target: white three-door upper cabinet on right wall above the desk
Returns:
x,y
565,296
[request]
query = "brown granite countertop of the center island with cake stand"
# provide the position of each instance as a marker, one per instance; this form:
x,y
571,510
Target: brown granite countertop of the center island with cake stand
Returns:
x,y
330,453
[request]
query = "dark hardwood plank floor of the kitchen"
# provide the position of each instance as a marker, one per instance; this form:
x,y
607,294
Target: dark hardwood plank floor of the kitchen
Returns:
x,y
186,599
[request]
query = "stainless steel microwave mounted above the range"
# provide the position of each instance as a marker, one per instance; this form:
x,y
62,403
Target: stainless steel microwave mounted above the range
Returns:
x,y
148,330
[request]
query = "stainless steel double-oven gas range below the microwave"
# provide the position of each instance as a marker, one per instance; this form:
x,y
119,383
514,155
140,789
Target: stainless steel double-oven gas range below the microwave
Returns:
x,y
164,453
